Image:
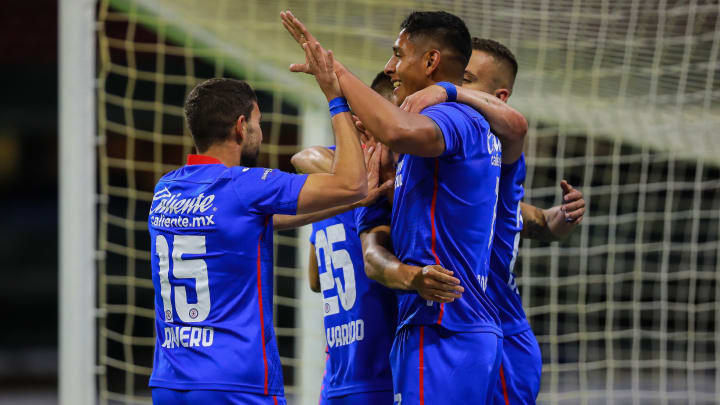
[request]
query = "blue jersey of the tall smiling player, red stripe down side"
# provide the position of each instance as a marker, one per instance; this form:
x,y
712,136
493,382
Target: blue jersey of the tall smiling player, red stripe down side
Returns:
x,y
444,213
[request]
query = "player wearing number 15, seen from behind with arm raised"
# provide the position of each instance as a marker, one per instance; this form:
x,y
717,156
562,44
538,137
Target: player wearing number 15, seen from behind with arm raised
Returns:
x,y
211,244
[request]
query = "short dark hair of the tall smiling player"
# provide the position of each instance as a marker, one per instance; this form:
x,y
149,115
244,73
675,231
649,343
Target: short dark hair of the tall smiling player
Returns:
x,y
447,30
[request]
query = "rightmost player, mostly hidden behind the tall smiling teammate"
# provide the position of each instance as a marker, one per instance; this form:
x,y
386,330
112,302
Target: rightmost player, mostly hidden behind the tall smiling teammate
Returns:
x,y
492,69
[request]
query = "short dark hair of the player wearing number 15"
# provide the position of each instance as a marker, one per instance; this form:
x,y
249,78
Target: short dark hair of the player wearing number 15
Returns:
x,y
213,107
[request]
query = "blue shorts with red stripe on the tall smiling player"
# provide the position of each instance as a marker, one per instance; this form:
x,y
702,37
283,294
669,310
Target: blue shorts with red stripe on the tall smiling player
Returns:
x,y
432,365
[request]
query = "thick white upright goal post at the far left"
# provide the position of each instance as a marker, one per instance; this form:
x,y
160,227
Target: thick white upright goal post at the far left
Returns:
x,y
77,370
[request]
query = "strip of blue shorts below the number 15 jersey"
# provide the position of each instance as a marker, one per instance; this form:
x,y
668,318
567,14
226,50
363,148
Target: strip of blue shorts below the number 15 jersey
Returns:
x,y
165,396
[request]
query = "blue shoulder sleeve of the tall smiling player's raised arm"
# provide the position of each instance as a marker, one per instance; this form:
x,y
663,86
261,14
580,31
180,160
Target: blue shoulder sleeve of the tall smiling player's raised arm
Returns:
x,y
461,126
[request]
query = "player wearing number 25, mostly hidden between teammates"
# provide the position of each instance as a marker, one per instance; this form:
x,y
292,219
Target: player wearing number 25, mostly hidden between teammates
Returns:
x,y
360,315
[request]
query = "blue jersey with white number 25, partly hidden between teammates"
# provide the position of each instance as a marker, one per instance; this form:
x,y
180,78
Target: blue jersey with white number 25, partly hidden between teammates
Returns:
x,y
359,314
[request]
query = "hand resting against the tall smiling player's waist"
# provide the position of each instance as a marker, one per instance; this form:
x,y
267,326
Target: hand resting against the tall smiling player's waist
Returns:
x,y
435,283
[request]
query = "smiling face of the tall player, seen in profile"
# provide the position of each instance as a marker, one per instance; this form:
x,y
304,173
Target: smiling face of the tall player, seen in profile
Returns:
x,y
407,68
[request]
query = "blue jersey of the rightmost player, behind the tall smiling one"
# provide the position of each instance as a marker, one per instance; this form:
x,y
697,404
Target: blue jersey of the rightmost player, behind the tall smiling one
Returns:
x,y
501,286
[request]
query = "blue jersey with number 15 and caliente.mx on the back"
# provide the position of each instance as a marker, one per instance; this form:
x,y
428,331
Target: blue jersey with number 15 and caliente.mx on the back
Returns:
x,y
212,269
